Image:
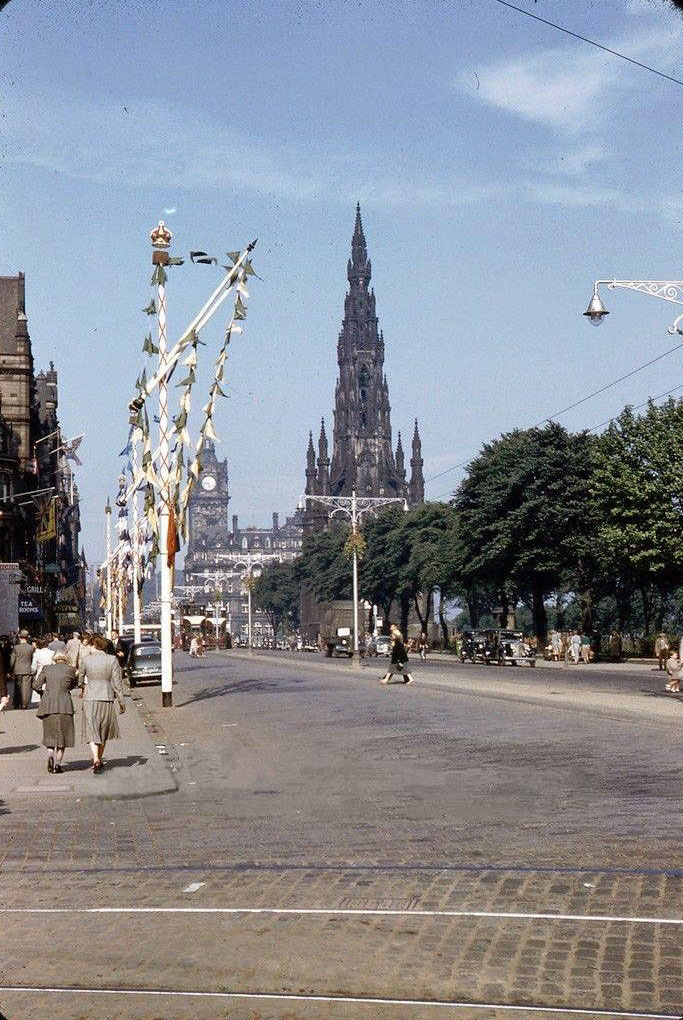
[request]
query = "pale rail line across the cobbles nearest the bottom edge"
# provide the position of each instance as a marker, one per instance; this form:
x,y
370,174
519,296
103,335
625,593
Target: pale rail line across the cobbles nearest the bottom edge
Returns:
x,y
435,1003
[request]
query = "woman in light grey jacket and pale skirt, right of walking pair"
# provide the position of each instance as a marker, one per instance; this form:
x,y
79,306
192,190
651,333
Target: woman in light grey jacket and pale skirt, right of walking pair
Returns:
x,y
101,680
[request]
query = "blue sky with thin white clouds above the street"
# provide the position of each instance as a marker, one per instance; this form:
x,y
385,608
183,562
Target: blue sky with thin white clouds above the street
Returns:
x,y
501,167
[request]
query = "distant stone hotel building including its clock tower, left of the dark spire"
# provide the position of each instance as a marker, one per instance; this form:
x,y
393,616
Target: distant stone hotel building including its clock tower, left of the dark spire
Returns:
x,y
220,556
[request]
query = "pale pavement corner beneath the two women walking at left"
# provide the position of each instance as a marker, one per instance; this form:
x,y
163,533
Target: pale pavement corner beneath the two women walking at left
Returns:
x,y
134,763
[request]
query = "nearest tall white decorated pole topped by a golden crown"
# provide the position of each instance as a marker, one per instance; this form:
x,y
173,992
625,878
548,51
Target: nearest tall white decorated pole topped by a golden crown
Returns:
x,y
162,239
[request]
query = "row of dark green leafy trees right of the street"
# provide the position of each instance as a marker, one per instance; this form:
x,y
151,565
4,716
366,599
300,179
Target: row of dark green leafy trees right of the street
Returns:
x,y
576,529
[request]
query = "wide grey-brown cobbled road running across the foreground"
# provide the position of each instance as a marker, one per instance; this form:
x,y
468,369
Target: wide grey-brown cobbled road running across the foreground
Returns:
x,y
303,791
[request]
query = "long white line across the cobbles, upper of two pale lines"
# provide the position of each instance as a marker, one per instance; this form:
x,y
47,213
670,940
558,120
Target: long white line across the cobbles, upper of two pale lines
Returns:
x,y
334,911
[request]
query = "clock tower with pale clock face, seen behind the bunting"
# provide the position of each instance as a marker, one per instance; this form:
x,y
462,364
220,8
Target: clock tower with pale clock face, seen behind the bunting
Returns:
x,y
207,514
